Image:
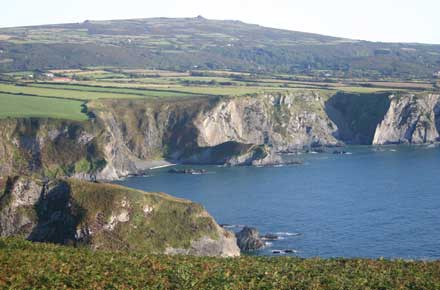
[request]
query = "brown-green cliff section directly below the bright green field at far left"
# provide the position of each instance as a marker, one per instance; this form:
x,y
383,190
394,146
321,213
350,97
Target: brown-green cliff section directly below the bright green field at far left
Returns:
x,y
49,147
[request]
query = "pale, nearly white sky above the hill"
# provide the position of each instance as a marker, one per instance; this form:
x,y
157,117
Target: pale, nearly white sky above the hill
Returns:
x,y
375,20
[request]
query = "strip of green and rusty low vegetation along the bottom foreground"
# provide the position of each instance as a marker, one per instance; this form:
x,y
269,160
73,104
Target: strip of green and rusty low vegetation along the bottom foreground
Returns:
x,y
41,266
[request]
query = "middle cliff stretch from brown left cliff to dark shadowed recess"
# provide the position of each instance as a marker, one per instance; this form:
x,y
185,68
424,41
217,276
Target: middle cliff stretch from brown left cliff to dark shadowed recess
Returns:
x,y
235,130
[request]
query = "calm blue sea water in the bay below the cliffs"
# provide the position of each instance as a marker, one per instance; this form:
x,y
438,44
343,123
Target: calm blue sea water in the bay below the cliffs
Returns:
x,y
368,204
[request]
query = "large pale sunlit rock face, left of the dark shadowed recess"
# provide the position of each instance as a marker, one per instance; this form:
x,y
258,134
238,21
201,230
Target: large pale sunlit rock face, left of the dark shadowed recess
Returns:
x,y
285,122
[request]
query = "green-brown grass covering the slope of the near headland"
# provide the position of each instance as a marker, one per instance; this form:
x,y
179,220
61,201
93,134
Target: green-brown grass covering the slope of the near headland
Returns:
x,y
174,222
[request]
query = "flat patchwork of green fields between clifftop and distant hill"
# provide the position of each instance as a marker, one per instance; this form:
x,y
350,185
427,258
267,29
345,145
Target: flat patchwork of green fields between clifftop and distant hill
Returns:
x,y
114,83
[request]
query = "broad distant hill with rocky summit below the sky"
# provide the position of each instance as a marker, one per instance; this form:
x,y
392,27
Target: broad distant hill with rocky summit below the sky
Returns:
x,y
188,43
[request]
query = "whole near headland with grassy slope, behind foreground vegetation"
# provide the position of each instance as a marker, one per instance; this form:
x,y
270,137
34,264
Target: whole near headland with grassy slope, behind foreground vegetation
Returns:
x,y
109,217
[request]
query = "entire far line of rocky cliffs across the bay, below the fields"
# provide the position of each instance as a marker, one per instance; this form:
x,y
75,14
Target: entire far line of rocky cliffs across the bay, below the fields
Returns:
x,y
129,136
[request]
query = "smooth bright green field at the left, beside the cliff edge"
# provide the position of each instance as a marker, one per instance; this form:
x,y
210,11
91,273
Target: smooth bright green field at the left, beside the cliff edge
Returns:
x,y
15,106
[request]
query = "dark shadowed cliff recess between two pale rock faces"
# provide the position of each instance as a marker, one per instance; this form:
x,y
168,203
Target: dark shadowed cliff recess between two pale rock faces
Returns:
x,y
357,115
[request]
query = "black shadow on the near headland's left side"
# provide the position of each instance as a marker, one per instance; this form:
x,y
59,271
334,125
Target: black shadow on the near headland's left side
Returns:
x,y
57,216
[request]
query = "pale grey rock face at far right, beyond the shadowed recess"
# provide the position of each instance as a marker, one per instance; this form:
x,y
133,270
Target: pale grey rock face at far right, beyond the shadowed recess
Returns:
x,y
411,119
